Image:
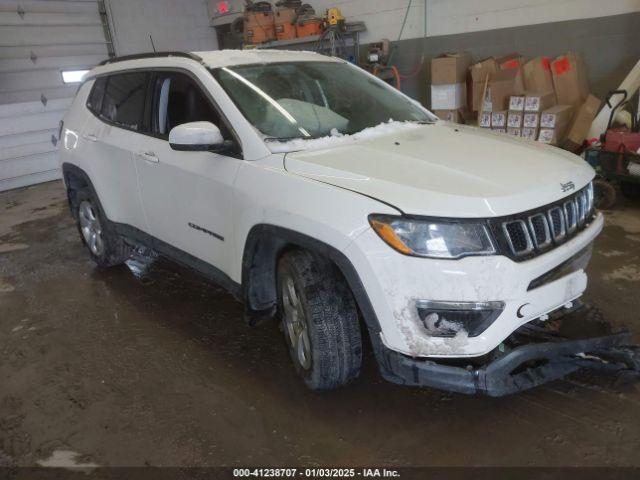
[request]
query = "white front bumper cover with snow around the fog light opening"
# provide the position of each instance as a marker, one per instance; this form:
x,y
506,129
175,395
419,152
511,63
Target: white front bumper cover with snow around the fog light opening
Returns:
x,y
395,282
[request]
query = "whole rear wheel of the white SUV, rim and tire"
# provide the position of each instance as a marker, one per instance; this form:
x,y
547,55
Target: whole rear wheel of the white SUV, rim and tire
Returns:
x,y
105,246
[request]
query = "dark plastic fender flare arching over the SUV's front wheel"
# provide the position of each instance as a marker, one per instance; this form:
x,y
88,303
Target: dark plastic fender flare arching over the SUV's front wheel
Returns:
x,y
265,244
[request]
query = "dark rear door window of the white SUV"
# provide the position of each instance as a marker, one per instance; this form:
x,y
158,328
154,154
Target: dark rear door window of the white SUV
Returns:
x,y
124,99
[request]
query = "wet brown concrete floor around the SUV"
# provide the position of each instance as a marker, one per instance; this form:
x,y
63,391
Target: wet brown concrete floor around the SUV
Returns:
x,y
161,370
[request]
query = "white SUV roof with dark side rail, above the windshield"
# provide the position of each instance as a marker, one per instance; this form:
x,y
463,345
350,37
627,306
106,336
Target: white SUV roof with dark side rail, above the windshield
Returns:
x,y
211,59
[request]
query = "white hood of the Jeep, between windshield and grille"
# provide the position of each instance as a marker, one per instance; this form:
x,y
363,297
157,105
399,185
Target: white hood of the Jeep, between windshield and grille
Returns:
x,y
448,170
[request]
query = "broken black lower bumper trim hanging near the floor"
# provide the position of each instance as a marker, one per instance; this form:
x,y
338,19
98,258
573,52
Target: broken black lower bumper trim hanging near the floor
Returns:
x,y
510,374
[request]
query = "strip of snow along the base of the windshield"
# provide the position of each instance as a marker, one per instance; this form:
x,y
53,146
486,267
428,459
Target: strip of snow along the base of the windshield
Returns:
x,y
337,139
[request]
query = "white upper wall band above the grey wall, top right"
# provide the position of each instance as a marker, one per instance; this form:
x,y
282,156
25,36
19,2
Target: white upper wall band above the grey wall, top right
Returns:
x,y
384,17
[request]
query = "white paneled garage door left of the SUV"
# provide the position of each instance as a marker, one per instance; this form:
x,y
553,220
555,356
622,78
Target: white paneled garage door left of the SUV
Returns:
x,y
39,39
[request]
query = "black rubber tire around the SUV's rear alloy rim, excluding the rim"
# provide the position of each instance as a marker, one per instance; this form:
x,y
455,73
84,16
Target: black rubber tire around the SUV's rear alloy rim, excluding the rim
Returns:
x,y
115,251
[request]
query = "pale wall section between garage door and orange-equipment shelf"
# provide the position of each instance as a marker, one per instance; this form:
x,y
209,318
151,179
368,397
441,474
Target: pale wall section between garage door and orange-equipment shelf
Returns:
x,y
174,24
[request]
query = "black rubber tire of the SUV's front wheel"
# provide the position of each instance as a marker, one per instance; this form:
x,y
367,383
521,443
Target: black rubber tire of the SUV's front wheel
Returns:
x,y
330,316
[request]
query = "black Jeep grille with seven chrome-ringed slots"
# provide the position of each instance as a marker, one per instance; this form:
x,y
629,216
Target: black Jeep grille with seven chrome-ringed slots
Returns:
x,y
534,232
